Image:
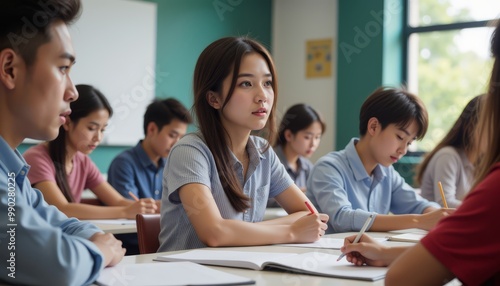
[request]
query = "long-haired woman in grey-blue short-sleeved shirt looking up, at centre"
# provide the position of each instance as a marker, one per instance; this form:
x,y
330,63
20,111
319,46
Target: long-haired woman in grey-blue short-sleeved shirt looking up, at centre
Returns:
x,y
217,181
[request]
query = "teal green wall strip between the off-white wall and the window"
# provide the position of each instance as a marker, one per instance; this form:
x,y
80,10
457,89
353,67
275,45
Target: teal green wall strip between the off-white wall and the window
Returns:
x,y
369,55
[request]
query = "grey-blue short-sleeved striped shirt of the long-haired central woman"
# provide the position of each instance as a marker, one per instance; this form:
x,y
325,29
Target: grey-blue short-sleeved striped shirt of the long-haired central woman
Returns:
x,y
190,161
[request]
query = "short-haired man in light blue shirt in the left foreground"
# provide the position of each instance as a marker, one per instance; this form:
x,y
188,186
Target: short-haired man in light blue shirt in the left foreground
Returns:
x,y
39,245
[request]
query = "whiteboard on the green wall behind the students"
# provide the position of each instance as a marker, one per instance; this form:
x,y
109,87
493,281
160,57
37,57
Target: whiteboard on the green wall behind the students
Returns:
x,y
115,45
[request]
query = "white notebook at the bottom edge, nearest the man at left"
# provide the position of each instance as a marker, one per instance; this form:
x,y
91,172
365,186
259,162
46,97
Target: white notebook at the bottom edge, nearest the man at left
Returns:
x,y
178,273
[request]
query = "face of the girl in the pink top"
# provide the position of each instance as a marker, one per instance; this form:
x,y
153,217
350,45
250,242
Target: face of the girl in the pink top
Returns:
x,y
86,134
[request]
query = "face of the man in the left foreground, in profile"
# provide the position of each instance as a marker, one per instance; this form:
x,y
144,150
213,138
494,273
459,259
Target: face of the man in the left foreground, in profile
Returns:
x,y
45,89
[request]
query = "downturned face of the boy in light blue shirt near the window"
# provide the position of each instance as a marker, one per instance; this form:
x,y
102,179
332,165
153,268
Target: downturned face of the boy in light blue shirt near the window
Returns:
x,y
391,144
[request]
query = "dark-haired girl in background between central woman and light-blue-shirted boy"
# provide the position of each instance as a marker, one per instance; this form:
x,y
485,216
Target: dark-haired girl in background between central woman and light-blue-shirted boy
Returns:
x,y
299,136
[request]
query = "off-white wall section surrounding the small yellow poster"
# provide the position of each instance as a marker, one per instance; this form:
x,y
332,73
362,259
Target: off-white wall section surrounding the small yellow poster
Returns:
x,y
295,22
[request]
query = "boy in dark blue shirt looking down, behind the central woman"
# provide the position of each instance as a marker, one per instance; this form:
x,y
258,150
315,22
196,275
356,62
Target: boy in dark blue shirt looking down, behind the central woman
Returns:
x,y
139,169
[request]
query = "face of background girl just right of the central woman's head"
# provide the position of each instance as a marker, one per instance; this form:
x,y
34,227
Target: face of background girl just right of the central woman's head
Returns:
x,y
305,142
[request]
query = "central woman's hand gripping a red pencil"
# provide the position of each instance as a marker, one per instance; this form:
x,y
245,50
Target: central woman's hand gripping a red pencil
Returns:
x,y
309,228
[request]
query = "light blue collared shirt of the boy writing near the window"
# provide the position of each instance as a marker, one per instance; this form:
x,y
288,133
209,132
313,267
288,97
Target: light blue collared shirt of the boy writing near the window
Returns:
x,y
340,187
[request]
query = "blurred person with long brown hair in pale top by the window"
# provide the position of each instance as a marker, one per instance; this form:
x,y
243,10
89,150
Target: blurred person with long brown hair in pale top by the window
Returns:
x,y
452,160
